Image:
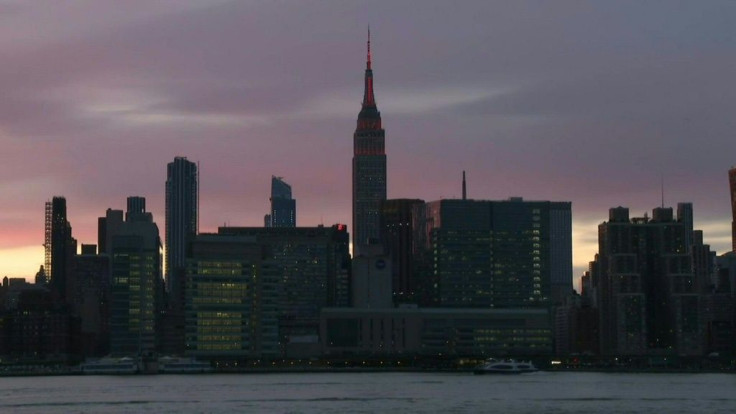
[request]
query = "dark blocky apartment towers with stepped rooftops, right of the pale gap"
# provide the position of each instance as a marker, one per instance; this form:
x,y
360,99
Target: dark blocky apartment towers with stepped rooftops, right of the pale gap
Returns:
x,y
649,297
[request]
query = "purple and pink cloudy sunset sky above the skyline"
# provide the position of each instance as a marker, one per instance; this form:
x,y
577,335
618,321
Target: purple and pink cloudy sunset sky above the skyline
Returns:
x,y
592,102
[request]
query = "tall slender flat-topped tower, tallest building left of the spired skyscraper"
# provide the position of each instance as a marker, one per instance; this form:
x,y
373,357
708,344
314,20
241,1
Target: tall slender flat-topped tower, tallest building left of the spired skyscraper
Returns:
x,y
182,219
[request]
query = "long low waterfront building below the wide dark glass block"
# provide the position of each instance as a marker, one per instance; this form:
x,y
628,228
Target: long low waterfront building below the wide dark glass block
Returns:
x,y
436,332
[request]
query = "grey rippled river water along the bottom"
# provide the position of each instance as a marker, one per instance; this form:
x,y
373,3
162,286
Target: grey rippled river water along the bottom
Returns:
x,y
390,393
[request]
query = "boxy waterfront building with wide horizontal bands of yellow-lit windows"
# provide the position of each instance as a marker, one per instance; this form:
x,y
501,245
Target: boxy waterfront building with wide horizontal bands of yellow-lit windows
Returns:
x,y
231,299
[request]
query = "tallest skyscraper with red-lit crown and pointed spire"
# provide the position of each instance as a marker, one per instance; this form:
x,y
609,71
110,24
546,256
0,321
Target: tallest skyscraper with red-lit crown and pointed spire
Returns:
x,y
369,166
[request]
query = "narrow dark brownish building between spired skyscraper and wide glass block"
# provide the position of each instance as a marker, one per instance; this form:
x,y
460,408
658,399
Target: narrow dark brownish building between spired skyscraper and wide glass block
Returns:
x,y
397,233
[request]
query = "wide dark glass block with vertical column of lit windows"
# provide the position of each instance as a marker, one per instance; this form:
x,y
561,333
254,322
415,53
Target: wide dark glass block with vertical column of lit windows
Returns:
x,y
497,254
